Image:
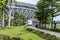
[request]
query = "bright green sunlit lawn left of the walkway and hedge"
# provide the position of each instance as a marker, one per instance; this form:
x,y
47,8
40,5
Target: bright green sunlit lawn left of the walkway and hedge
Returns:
x,y
20,32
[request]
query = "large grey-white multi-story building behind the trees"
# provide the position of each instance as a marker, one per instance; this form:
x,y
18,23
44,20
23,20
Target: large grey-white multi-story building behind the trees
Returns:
x,y
24,8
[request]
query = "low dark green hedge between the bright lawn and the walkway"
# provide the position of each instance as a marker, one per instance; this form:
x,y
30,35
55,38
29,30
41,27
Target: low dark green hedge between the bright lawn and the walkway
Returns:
x,y
42,34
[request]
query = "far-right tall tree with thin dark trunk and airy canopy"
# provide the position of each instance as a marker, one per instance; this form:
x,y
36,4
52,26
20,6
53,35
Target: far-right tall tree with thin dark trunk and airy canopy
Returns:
x,y
54,8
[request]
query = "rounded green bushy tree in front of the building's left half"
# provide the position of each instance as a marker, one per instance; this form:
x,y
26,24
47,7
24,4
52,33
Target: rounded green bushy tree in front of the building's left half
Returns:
x,y
18,19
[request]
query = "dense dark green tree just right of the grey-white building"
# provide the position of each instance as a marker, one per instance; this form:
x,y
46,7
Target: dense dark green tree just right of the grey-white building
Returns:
x,y
42,12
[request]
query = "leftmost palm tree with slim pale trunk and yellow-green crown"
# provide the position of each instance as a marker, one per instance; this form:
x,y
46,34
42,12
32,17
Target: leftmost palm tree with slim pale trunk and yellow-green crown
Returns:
x,y
3,9
